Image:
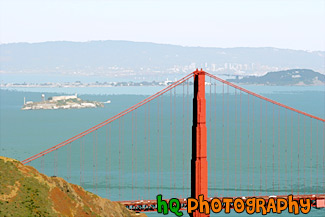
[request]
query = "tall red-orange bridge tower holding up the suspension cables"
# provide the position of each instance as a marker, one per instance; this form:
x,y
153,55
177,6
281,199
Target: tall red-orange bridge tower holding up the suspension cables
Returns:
x,y
199,163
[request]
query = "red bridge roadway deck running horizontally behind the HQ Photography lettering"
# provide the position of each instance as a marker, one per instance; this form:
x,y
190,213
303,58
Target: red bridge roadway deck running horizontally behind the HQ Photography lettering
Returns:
x,y
317,201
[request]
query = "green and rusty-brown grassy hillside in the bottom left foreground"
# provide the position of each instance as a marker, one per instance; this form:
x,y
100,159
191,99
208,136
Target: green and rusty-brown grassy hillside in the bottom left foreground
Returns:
x,y
26,192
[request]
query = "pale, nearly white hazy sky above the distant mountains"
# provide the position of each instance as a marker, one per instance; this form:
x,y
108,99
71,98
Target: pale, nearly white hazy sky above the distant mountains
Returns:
x,y
291,24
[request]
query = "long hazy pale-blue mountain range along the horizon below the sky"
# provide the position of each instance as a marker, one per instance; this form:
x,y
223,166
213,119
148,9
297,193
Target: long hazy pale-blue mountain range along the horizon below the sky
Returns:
x,y
132,58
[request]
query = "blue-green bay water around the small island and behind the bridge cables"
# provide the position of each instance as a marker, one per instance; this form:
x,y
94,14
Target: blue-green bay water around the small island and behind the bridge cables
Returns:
x,y
25,133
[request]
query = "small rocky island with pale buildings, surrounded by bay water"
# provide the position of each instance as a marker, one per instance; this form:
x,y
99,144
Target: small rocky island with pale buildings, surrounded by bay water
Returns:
x,y
61,102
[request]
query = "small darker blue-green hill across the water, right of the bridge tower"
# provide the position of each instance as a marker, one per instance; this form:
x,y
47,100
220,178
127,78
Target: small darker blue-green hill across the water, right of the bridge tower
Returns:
x,y
287,77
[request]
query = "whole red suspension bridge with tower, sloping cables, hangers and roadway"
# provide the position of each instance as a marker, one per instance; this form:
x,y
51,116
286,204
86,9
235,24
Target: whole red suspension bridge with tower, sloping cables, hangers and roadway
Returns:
x,y
219,140
